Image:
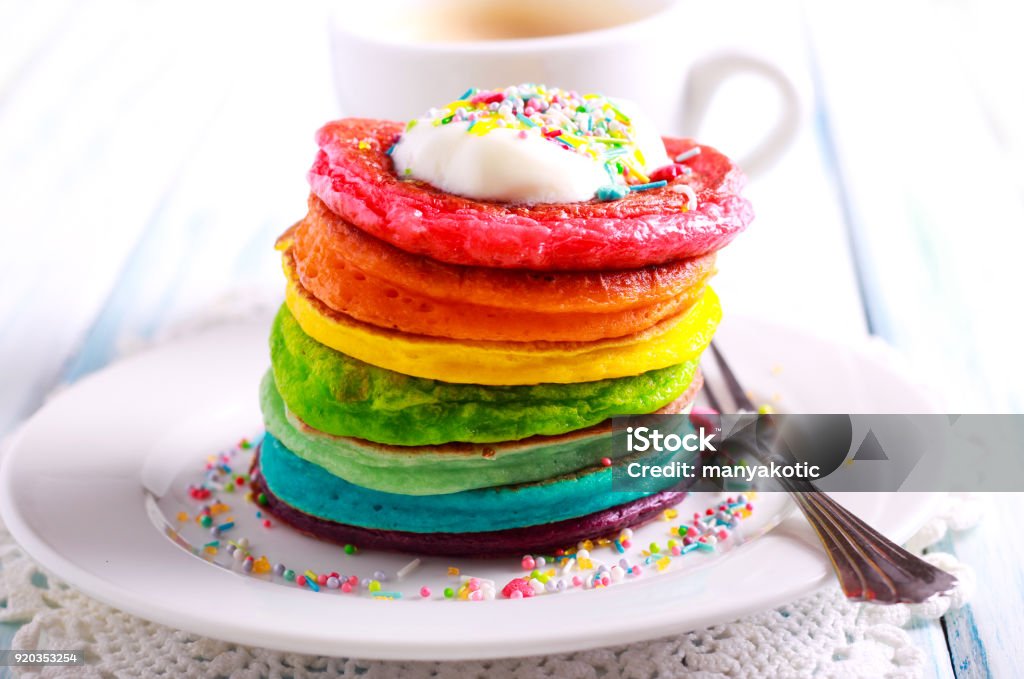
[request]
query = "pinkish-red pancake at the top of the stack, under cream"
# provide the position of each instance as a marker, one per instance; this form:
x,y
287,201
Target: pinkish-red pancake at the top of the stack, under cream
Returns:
x,y
355,177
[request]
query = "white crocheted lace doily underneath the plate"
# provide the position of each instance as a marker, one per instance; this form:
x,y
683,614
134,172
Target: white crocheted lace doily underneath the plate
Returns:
x,y
821,635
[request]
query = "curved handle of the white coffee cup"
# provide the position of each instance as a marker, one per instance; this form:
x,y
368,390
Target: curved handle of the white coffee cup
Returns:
x,y
706,77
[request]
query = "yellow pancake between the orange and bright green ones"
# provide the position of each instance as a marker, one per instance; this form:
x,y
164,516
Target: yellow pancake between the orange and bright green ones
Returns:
x,y
675,341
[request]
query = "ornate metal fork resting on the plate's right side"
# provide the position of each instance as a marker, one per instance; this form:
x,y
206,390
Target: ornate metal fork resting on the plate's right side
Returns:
x,y
870,567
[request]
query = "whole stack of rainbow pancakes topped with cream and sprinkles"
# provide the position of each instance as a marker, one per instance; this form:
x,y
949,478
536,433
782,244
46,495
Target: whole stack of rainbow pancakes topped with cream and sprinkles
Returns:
x,y
472,298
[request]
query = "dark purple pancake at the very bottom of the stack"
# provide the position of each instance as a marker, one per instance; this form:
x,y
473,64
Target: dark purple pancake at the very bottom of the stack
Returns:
x,y
543,539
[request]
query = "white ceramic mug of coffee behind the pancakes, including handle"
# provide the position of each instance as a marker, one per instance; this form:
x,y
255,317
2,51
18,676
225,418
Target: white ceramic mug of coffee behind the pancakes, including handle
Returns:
x,y
396,59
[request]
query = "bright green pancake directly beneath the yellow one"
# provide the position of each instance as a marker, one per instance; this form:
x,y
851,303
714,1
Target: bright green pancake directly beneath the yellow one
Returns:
x,y
340,396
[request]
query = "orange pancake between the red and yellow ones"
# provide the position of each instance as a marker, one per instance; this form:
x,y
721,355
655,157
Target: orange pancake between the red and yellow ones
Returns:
x,y
365,278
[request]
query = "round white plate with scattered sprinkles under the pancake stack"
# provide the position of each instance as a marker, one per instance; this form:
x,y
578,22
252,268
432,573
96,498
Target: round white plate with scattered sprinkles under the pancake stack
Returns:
x,y
71,493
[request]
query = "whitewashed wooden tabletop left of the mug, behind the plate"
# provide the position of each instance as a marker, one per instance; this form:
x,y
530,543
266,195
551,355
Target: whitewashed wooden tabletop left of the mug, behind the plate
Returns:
x,y
144,181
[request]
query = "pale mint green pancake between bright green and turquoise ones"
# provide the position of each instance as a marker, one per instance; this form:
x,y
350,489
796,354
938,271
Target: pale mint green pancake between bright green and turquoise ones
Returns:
x,y
447,469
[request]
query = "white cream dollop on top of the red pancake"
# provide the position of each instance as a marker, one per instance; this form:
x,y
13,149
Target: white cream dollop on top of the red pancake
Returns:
x,y
514,165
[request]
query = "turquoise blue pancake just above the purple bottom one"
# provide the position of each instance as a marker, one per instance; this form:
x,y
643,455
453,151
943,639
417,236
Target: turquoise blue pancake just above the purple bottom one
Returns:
x,y
315,492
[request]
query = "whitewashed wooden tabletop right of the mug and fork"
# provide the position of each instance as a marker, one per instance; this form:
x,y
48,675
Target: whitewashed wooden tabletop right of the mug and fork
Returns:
x,y
934,211
